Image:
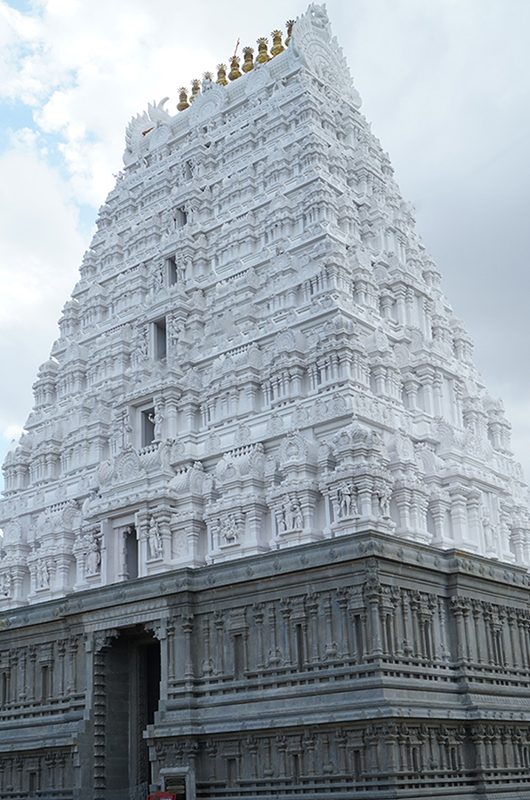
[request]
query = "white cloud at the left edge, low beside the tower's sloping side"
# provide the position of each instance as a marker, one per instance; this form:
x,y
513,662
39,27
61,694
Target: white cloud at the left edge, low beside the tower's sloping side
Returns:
x,y
40,249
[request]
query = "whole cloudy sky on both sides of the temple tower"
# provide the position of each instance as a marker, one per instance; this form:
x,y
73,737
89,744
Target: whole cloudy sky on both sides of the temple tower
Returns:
x,y
445,84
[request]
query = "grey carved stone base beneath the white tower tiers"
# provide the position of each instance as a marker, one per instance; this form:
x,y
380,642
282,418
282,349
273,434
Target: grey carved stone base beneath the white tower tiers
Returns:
x,y
362,665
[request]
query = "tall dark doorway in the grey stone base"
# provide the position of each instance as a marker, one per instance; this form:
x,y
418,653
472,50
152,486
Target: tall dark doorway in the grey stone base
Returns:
x,y
132,684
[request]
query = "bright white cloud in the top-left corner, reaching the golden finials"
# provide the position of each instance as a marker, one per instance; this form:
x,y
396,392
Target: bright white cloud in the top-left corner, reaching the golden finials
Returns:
x,y
85,71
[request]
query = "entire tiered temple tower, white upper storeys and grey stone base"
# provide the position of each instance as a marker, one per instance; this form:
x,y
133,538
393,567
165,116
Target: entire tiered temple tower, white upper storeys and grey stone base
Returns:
x,y
263,501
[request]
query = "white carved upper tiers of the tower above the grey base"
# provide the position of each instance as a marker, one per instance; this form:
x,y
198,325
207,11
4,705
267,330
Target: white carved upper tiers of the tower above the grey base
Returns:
x,y
258,354
